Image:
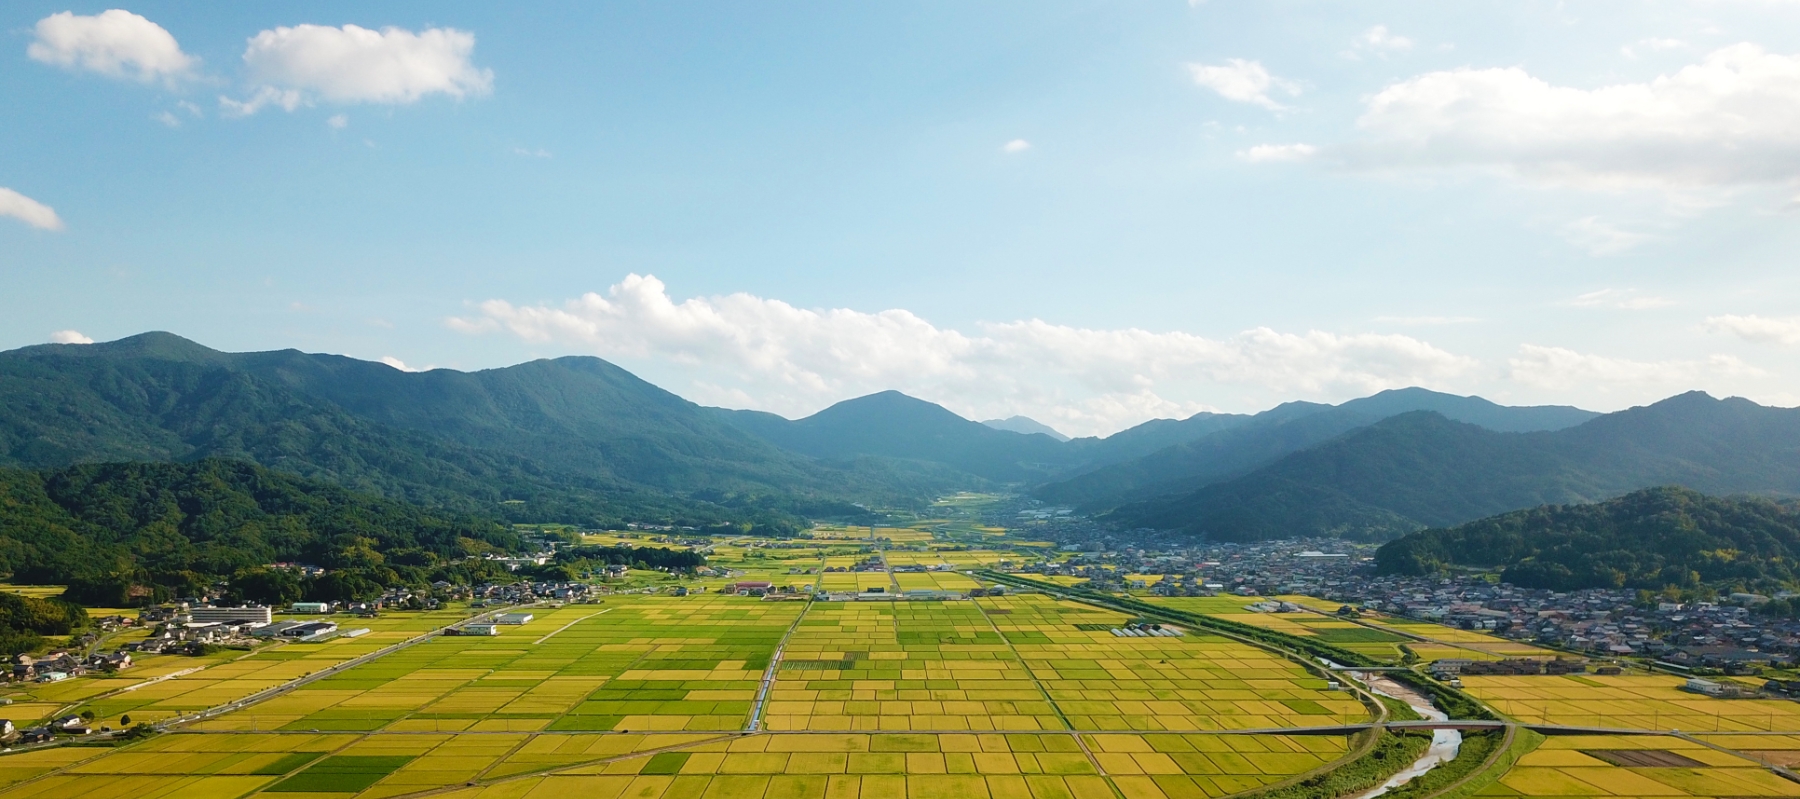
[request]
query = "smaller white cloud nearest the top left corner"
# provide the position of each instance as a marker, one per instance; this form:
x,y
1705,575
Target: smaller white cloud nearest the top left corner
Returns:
x,y
116,44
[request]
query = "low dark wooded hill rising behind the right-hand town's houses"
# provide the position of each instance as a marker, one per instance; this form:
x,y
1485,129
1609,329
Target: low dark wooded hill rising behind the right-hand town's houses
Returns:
x,y
1648,539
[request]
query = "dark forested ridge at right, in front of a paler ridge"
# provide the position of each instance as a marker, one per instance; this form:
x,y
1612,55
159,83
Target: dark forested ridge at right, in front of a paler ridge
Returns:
x,y
1423,471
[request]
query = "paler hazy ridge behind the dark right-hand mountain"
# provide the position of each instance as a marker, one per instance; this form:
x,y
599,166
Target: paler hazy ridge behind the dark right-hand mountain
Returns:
x,y
1248,444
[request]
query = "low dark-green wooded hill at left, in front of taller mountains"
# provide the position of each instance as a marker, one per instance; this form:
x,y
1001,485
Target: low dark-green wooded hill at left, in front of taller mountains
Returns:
x,y
123,532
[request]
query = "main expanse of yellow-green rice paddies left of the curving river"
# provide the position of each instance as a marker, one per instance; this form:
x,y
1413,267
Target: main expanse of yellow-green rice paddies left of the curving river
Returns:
x,y
656,697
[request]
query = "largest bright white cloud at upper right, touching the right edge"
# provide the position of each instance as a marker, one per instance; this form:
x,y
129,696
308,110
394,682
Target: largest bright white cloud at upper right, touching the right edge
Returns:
x,y
1731,120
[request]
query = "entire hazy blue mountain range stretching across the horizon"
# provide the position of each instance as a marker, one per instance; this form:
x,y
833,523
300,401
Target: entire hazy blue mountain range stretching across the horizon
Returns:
x,y
580,440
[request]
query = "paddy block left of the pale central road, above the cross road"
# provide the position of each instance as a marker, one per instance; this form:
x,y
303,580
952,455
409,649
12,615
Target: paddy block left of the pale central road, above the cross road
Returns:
x,y
634,663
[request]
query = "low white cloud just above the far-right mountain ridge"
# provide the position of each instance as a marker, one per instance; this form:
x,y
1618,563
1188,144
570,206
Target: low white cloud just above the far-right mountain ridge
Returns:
x,y
1563,370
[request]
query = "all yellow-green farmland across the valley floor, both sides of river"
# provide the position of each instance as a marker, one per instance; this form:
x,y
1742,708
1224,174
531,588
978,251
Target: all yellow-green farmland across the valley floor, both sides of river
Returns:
x,y
647,694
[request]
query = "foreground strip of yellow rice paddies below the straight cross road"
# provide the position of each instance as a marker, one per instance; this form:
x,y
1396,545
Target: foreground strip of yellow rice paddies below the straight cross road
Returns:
x,y
766,766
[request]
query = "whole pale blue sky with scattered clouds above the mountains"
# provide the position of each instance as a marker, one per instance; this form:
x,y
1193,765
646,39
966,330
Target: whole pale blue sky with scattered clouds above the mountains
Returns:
x,y
1090,213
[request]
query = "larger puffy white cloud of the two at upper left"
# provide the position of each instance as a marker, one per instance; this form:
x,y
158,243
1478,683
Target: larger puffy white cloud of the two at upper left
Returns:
x,y
305,64
